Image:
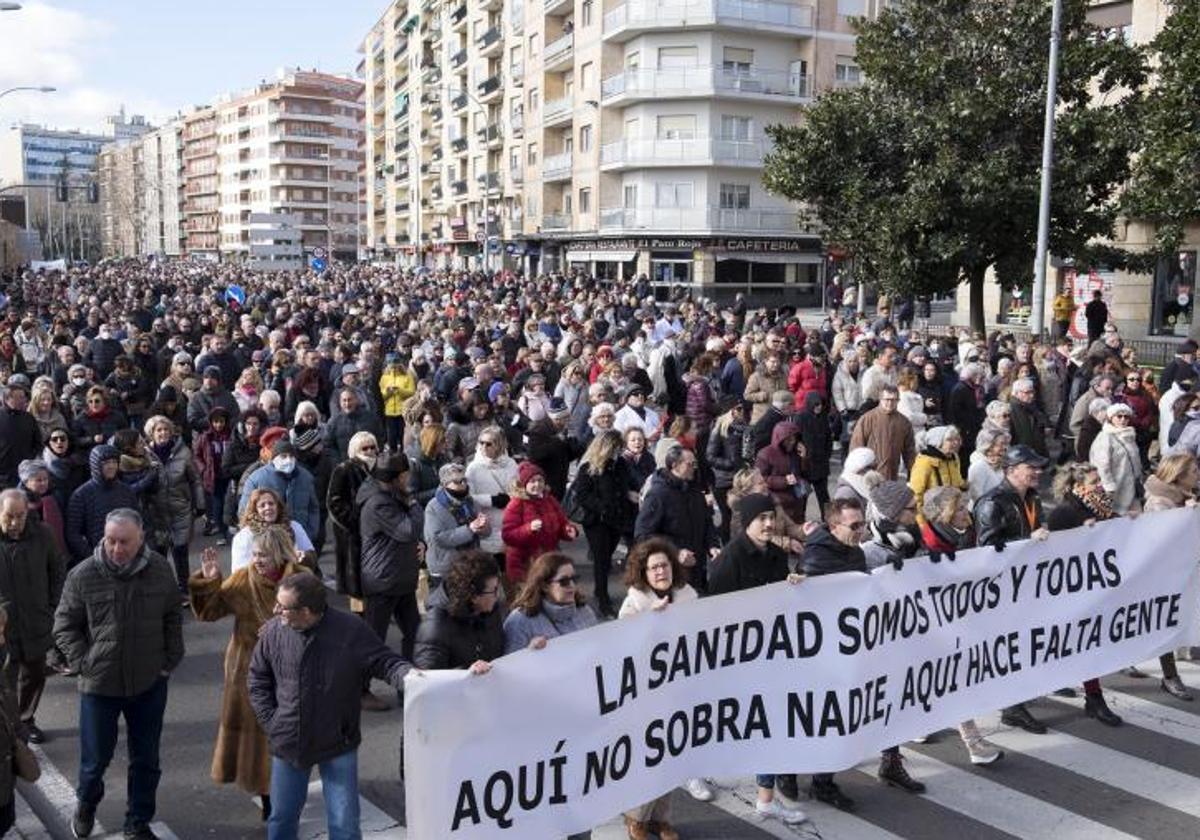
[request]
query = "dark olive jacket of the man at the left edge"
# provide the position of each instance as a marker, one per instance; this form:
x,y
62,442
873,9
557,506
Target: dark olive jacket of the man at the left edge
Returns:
x,y
32,572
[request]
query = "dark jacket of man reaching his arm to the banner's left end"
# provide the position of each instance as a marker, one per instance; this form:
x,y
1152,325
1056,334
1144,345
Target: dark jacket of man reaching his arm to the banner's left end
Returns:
x,y
307,687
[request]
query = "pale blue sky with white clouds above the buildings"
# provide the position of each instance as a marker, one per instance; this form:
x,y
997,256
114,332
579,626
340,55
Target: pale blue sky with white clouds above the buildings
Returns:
x,y
163,57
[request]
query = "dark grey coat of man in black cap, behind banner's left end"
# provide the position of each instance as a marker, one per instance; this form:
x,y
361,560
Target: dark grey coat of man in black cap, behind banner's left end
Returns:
x,y
391,530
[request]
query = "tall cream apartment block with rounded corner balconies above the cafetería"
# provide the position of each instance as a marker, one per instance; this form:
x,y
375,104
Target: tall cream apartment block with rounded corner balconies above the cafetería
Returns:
x,y
622,136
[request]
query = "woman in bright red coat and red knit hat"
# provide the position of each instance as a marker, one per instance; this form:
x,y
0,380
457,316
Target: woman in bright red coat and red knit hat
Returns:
x,y
533,523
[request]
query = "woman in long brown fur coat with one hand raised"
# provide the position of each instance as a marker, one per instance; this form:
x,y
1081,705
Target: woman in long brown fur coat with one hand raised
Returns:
x,y
242,755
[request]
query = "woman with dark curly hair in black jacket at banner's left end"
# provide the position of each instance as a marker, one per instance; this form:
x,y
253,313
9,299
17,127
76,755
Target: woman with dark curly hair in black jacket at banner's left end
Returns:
x,y
464,623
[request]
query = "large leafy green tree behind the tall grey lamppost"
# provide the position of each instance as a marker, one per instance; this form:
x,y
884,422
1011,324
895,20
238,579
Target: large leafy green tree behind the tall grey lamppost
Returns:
x,y
928,175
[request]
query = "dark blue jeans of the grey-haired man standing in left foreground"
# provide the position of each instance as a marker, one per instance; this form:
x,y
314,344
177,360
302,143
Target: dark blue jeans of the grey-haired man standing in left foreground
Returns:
x,y
98,741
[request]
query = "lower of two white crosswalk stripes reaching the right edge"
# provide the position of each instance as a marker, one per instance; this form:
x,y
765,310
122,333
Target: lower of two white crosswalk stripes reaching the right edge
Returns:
x,y
1101,764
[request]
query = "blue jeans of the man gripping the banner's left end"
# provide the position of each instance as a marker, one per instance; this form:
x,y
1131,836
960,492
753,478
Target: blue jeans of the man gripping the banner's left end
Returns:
x,y
339,787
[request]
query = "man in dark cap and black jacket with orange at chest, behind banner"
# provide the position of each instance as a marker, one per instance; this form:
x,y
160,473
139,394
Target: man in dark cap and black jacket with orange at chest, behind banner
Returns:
x,y
1013,512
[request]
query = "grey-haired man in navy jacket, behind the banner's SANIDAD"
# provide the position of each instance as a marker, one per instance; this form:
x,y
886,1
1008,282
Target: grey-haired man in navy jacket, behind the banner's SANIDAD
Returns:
x,y
675,507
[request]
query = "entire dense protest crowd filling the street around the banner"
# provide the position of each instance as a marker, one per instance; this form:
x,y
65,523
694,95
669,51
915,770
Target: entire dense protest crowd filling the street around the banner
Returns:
x,y
427,446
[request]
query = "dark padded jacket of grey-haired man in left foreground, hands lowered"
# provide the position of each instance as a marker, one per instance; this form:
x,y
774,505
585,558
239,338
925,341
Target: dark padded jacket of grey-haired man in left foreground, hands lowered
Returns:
x,y
121,633
